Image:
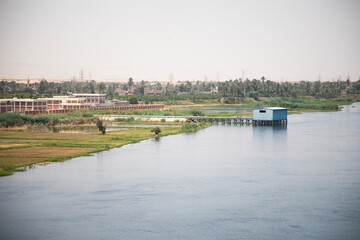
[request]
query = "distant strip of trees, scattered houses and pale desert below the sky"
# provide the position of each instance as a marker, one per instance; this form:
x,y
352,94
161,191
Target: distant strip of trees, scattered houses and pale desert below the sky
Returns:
x,y
237,88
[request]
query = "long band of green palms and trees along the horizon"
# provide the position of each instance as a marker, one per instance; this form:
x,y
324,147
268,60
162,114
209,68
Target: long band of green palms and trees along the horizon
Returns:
x,y
231,90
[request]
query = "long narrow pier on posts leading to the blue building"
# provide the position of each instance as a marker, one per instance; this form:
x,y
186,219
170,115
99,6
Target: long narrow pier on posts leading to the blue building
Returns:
x,y
218,120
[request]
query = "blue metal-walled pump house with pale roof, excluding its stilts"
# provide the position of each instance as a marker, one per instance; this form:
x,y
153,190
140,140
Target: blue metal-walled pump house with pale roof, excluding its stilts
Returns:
x,y
270,114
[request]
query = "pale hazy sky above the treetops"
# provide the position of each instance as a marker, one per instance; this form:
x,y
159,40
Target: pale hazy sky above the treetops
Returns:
x,y
289,40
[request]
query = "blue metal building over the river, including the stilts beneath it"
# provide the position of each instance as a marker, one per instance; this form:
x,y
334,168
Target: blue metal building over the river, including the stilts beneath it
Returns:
x,y
270,115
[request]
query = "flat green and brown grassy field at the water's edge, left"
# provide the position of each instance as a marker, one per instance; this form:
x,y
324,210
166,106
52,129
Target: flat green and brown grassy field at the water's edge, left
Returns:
x,y
21,150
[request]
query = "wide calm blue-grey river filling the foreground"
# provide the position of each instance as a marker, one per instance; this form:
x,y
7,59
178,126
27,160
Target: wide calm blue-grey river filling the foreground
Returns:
x,y
224,182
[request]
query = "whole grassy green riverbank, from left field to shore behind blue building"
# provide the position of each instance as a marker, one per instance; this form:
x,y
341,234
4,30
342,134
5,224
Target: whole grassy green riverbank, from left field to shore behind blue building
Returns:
x,y
21,149
